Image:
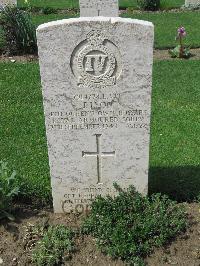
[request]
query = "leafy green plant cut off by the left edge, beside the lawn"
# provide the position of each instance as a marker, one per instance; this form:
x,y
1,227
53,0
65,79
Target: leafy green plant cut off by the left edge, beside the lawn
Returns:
x,y
8,190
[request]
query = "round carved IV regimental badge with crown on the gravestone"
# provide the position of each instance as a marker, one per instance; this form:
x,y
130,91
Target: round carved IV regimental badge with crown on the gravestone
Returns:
x,y
96,61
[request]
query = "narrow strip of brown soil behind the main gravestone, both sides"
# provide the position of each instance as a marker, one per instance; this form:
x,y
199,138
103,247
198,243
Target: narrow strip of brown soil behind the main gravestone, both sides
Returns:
x,y
158,55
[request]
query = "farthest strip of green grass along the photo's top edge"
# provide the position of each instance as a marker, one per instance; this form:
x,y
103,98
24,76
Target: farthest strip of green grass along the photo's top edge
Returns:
x,y
62,4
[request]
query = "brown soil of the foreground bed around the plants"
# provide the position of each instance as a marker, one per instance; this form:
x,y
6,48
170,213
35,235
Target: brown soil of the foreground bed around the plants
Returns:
x,y
15,246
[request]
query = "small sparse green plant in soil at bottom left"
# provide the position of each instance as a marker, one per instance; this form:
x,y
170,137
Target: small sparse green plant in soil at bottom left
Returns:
x,y
55,247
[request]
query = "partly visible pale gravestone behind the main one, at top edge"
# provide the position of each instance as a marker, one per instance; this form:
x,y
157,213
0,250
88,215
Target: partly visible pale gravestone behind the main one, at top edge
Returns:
x,y
105,8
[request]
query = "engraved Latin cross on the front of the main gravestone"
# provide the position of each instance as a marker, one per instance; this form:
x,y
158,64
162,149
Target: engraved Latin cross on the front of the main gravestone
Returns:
x,y
98,154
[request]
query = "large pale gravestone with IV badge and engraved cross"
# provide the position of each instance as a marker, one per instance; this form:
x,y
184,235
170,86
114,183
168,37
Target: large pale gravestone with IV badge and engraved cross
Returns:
x,y
96,78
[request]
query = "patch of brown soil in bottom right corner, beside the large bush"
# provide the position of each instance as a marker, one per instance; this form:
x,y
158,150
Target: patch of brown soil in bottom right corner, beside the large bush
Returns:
x,y
185,250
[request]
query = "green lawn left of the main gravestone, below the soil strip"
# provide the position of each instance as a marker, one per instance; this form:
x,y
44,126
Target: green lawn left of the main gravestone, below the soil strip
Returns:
x,y
22,131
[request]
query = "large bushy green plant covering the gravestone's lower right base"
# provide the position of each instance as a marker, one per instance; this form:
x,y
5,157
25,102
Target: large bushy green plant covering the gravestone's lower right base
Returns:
x,y
130,225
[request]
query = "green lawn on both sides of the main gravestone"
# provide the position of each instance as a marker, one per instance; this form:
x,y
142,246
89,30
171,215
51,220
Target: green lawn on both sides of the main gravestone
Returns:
x,y
175,139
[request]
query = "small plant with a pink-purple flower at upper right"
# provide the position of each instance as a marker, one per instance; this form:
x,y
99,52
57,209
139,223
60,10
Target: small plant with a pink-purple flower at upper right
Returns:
x,y
180,51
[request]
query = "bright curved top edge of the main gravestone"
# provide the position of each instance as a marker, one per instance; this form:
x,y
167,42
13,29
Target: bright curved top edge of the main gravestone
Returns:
x,y
112,20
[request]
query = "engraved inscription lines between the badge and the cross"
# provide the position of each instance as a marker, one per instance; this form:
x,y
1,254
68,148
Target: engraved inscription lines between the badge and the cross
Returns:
x,y
98,111
